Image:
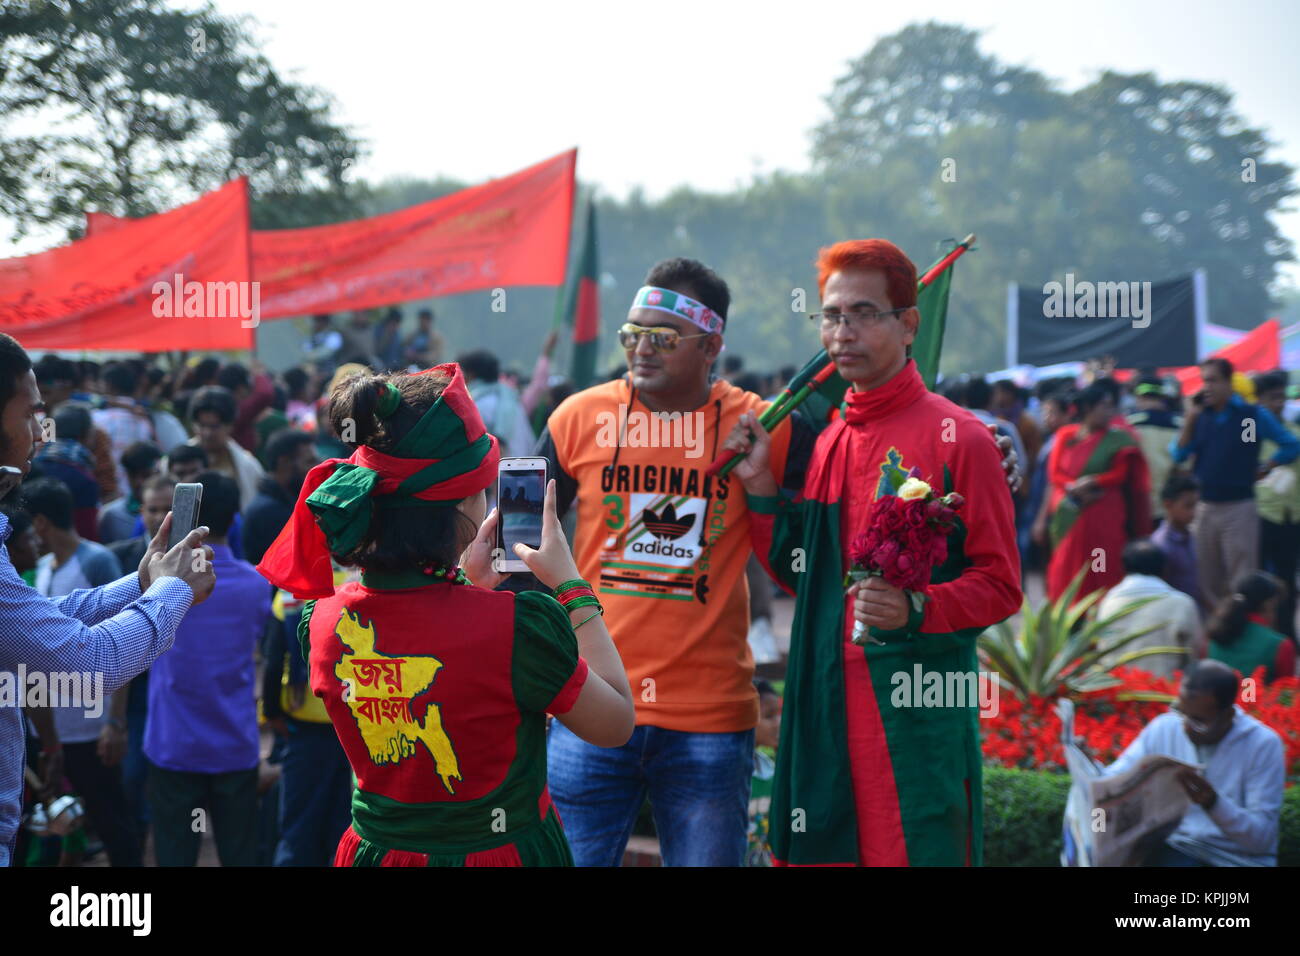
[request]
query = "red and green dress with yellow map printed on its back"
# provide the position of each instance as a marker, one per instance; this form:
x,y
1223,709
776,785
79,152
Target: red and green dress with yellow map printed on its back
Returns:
x,y
439,695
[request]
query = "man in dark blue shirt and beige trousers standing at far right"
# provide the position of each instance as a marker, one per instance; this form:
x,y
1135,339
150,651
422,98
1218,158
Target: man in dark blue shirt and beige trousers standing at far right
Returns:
x,y
1223,431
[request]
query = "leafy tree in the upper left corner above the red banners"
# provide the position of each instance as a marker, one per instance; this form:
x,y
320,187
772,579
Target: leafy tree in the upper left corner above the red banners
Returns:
x,y
140,106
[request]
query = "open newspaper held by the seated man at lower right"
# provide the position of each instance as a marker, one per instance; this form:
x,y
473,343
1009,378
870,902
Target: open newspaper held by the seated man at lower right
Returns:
x,y
1117,821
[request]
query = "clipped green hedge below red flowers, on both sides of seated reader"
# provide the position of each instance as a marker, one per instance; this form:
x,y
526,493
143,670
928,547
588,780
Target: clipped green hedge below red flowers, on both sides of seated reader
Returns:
x,y
1024,812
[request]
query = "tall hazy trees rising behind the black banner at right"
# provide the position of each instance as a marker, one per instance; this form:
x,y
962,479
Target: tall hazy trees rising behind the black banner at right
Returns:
x,y
1129,179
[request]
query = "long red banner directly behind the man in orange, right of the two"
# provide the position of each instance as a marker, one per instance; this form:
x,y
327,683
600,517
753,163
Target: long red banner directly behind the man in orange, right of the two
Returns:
x,y
505,233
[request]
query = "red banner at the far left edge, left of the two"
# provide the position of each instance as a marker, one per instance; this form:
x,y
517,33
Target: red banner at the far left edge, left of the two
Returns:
x,y
179,280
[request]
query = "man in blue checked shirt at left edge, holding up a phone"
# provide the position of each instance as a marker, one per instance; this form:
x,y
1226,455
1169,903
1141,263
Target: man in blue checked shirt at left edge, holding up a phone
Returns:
x,y
115,631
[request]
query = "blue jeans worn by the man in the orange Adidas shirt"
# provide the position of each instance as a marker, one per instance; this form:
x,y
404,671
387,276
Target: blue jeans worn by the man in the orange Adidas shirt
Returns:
x,y
699,786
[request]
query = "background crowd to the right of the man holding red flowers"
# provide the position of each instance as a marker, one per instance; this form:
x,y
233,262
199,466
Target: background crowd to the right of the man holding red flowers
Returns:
x,y
1189,504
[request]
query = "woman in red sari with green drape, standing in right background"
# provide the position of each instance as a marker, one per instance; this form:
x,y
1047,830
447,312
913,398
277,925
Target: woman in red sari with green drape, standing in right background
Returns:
x,y
1099,492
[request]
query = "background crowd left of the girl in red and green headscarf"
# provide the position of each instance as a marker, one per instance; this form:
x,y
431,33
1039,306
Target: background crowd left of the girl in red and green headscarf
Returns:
x,y
116,440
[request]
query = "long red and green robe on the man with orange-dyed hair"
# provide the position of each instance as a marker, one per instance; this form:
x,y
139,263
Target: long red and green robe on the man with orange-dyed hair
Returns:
x,y
873,769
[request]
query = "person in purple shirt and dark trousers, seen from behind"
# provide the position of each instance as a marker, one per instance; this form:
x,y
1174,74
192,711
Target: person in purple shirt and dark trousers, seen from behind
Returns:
x,y
201,737
